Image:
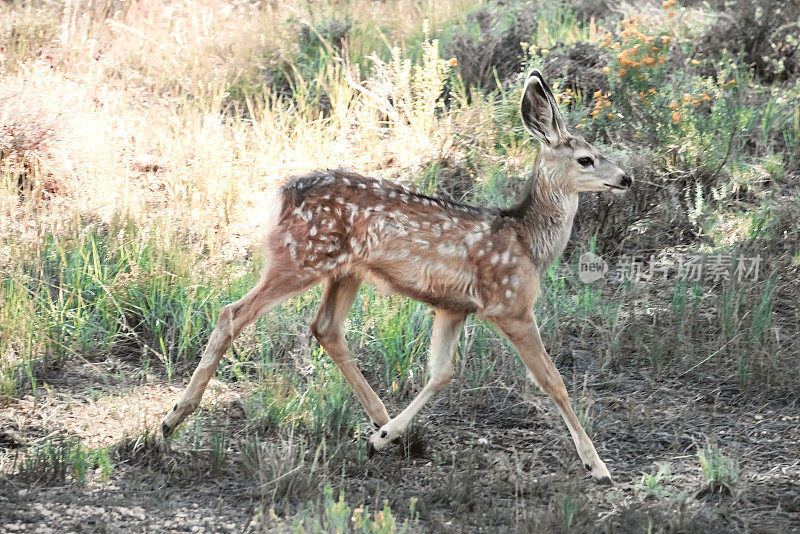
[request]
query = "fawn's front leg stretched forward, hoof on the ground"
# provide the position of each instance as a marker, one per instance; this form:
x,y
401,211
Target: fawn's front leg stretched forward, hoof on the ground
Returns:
x,y
525,336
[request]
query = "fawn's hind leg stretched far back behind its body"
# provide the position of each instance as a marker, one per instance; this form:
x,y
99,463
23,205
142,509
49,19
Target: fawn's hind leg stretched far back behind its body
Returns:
x,y
276,286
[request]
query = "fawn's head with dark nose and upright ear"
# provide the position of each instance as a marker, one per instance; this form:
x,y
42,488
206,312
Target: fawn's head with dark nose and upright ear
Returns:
x,y
567,162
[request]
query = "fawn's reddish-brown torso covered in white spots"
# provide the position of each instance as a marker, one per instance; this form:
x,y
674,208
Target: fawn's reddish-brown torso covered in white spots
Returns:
x,y
450,255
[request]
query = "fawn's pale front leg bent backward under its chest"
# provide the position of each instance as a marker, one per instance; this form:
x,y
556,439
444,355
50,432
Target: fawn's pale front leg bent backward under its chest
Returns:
x,y
446,330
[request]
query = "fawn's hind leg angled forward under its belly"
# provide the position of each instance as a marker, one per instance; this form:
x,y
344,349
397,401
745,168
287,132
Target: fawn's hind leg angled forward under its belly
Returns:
x,y
328,328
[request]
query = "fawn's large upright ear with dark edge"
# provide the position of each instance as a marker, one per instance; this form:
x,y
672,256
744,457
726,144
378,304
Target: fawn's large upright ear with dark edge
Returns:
x,y
539,111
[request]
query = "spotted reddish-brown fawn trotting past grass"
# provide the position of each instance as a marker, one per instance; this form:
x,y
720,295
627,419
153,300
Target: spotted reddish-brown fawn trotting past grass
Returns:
x,y
343,229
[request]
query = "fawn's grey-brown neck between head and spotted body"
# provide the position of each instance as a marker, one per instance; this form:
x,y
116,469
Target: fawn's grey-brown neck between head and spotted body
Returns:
x,y
545,215
